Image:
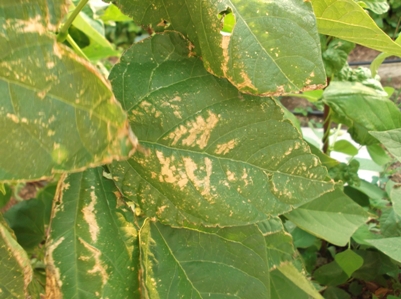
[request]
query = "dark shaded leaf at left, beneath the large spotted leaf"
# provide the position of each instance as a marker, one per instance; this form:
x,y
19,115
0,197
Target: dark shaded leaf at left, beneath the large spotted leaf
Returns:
x,y
29,217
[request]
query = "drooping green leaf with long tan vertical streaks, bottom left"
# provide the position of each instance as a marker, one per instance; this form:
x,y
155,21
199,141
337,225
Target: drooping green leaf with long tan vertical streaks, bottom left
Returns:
x,y
93,248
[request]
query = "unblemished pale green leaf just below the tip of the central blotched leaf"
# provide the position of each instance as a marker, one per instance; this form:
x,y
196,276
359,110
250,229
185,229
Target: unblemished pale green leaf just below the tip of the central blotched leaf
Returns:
x,y
333,217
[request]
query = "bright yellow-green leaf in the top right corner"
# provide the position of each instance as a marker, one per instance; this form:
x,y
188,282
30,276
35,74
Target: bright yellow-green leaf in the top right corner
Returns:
x,y
347,20
